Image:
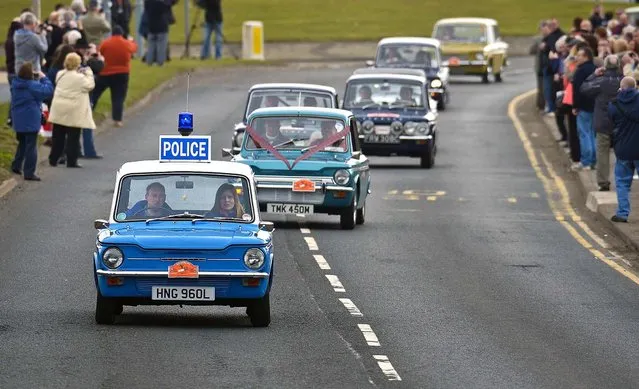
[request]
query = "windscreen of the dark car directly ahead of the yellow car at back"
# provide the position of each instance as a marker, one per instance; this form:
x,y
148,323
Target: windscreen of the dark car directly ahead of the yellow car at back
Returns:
x,y
405,55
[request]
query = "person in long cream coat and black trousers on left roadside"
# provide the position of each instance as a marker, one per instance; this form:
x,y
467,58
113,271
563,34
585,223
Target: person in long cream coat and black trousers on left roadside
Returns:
x,y
70,110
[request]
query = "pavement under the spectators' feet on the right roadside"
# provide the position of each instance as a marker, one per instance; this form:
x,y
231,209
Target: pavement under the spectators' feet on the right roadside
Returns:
x,y
604,203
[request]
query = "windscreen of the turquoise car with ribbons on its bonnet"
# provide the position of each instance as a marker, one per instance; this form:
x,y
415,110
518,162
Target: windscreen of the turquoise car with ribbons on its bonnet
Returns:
x,y
296,133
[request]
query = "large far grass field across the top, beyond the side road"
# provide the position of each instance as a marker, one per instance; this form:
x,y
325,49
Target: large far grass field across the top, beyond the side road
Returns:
x,y
338,20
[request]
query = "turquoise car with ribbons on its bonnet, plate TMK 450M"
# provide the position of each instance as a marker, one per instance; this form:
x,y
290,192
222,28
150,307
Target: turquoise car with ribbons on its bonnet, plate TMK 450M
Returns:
x,y
306,161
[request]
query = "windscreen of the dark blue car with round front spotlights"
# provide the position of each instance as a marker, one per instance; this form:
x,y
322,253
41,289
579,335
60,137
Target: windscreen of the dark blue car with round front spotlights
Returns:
x,y
376,93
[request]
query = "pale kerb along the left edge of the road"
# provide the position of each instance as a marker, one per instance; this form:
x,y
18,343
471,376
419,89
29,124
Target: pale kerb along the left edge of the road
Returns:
x,y
105,124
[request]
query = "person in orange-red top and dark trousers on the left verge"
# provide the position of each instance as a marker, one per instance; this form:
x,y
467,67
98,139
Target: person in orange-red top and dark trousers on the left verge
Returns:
x,y
117,52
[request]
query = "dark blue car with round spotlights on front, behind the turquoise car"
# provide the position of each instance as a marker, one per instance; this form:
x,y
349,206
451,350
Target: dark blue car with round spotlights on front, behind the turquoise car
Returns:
x,y
394,113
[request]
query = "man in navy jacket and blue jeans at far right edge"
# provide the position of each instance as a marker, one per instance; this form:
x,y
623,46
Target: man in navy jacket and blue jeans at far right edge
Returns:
x,y
624,113
